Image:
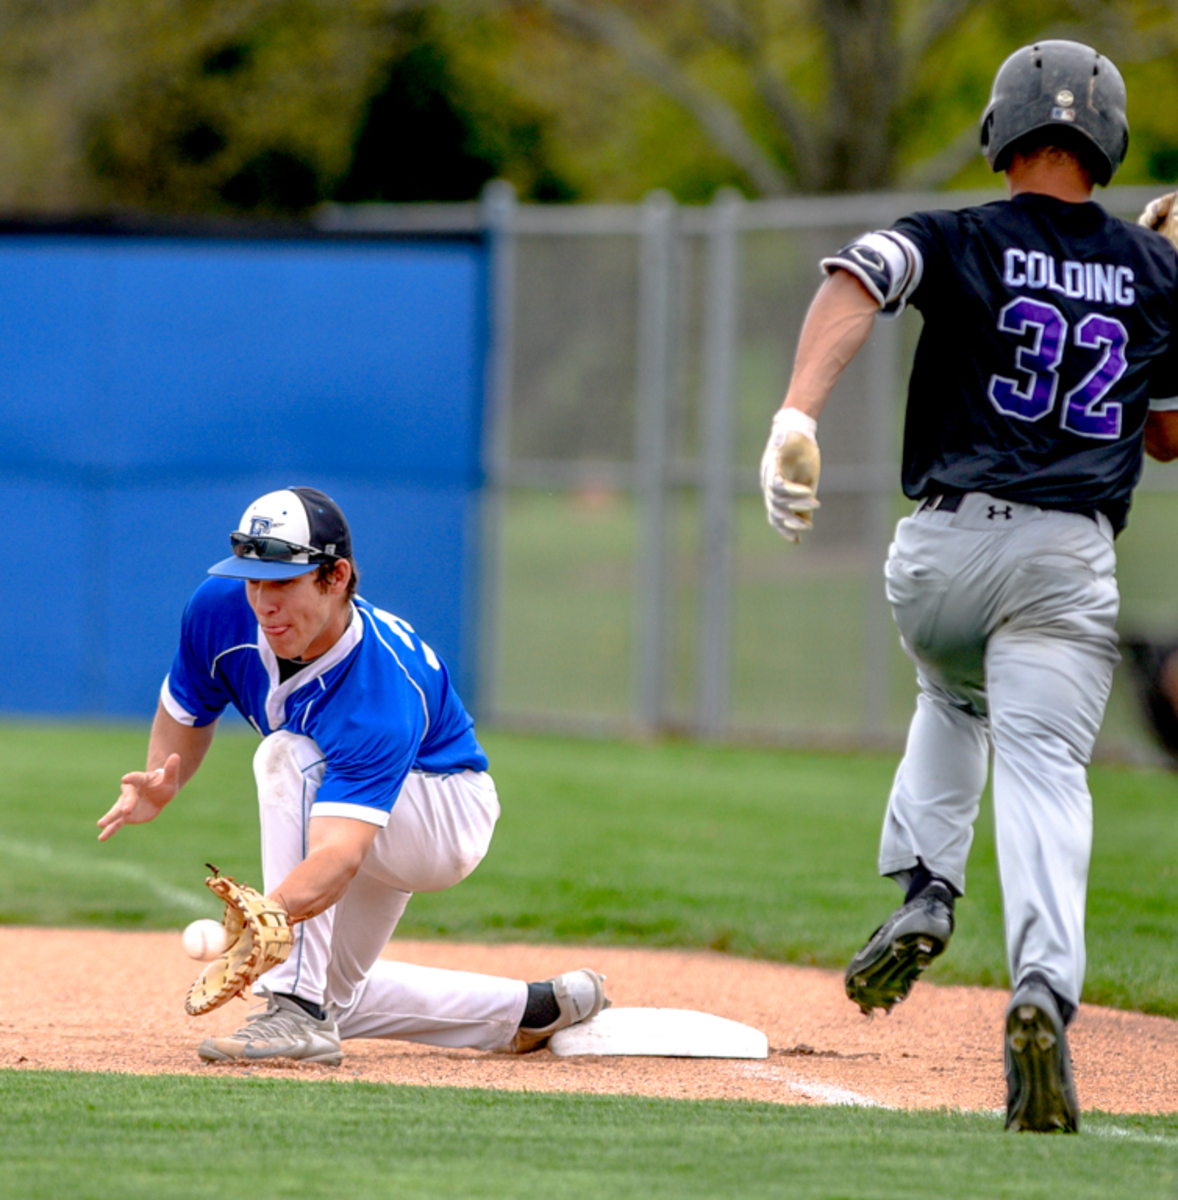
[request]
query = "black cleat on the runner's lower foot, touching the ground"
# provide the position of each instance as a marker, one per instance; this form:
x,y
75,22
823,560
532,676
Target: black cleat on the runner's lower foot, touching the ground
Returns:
x,y
1041,1090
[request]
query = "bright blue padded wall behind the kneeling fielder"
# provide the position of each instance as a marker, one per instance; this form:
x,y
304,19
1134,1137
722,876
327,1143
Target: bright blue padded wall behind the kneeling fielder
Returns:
x,y
152,387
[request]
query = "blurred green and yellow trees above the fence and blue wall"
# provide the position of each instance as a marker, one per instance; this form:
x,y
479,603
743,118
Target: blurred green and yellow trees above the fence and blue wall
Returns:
x,y
273,106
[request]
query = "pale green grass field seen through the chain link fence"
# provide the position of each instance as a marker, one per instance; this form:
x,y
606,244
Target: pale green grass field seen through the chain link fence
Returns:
x,y
798,647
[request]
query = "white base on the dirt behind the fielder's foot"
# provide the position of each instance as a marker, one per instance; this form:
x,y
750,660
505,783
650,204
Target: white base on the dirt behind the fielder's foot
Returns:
x,y
660,1033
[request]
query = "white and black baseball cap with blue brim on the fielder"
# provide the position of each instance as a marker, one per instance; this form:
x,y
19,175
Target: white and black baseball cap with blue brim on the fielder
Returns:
x,y
286,535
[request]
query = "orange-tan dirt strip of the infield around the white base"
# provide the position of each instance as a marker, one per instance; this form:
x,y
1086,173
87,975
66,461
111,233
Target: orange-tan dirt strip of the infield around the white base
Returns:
x,y
103,1001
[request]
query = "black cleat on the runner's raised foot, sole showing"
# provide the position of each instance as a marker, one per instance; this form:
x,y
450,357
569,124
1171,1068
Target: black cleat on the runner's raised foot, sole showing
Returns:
x,y
883,973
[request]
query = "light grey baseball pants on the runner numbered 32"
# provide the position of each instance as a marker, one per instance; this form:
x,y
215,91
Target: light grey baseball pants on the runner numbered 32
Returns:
x,y
1009,614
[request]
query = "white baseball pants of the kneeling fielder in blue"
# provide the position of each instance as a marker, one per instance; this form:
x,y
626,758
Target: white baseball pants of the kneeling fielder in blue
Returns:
x,y
438,833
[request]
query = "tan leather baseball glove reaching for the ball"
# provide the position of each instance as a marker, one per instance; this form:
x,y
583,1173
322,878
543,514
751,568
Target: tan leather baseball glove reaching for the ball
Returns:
x,y
260,937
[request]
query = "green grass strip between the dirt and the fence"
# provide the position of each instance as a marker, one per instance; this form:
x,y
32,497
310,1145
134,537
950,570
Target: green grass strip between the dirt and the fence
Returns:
x,y
758,853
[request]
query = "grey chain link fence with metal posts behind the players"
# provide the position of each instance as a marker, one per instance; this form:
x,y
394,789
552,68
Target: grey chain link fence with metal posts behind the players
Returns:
x,y
632,581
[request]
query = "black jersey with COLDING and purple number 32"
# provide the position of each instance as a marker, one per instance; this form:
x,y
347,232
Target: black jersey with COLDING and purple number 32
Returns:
x,y
1048,329
